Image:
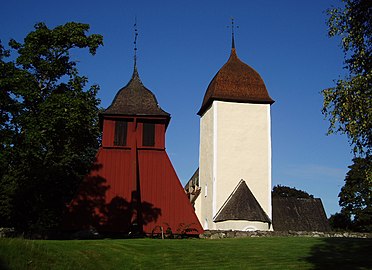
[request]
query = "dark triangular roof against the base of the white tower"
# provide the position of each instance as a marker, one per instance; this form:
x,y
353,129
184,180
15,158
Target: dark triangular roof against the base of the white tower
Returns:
x,y
242,205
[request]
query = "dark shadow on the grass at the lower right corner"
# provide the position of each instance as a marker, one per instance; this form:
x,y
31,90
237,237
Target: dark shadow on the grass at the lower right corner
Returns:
x,y
342,253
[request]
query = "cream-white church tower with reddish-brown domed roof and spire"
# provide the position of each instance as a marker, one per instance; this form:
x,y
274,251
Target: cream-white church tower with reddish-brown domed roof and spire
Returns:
x,y
235,150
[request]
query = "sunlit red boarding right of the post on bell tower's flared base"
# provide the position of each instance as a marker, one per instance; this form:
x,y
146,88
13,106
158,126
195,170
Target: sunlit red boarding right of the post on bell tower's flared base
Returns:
x,y
161,188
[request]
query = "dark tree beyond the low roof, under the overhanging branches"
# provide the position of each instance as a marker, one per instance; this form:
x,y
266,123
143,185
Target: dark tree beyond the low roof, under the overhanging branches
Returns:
x,y
356,194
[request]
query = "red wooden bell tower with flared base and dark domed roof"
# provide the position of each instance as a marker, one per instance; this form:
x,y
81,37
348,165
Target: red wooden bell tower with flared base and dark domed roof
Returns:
x,y
133,186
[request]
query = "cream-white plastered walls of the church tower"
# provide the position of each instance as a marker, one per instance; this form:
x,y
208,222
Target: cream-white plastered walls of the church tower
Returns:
x,y
235,144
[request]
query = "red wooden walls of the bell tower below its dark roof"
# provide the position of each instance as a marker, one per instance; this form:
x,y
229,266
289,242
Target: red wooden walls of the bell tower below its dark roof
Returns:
x,y
124,175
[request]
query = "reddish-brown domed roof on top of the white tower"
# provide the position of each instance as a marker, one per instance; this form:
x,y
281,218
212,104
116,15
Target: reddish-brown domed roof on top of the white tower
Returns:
x,y
237,82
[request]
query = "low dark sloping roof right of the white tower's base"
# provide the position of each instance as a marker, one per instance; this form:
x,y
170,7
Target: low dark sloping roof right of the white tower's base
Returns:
x,y
299,214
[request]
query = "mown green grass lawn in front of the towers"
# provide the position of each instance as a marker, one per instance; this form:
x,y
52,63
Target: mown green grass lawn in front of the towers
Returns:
x,y
244,253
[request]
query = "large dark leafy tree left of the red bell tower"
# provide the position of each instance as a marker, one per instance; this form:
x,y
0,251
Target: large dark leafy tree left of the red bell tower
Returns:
x,y
48,127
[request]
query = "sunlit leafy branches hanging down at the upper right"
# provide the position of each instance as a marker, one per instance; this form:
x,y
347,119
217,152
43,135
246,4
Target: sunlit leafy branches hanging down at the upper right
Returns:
x,y
348,105
